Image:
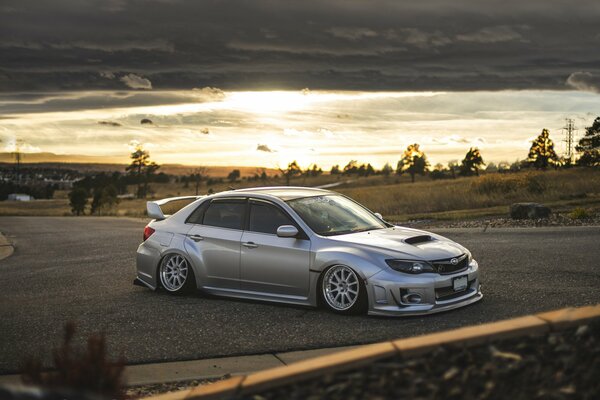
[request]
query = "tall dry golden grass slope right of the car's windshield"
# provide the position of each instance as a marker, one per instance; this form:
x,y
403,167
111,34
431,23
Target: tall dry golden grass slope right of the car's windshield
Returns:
x,y
478,196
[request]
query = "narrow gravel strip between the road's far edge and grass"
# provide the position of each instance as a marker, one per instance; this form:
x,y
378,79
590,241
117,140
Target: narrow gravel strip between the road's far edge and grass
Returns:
x,y
500,222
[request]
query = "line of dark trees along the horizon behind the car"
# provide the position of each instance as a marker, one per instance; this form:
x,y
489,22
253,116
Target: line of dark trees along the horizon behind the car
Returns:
x,y
105,188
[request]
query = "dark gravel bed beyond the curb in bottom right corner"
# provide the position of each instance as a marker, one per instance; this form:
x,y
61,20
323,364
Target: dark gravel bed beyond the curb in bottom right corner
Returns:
x,y
560,365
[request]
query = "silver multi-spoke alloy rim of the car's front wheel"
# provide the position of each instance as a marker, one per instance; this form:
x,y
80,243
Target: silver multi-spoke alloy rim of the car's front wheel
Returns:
x,y
340,287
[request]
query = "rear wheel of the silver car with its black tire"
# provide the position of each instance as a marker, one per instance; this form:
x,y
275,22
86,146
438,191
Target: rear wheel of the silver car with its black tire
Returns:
x,y
176,274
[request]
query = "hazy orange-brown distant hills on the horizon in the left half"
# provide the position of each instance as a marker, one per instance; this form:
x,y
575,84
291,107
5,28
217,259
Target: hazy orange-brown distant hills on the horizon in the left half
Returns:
x,y
109,164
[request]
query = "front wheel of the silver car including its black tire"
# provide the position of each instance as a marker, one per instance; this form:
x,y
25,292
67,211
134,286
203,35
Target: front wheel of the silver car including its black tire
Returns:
x,y
343,291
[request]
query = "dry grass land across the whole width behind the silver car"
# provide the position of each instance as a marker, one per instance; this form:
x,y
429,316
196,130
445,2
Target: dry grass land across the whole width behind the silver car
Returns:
x,y
395,197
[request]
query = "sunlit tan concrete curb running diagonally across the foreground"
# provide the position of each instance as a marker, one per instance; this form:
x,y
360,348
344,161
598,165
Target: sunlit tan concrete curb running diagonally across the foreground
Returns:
x,y
529,325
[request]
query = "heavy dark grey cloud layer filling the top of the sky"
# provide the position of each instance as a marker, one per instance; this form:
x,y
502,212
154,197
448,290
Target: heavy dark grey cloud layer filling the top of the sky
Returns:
x,y
337,44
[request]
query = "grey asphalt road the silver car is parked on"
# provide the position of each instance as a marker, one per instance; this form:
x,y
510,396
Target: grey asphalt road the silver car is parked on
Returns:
x,y
81,269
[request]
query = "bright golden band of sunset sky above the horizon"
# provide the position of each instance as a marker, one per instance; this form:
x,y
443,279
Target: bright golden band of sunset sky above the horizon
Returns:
x,y
274,128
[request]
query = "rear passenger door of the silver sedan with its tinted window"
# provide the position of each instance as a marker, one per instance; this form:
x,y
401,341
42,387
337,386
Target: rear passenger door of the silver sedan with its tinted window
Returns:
x,y
213,243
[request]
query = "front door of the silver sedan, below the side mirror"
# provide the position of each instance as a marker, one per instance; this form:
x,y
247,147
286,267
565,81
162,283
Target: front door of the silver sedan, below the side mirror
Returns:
x,y
271,264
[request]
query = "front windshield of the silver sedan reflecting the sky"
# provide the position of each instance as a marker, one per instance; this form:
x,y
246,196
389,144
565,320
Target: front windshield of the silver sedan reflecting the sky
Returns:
x,y
335,215
